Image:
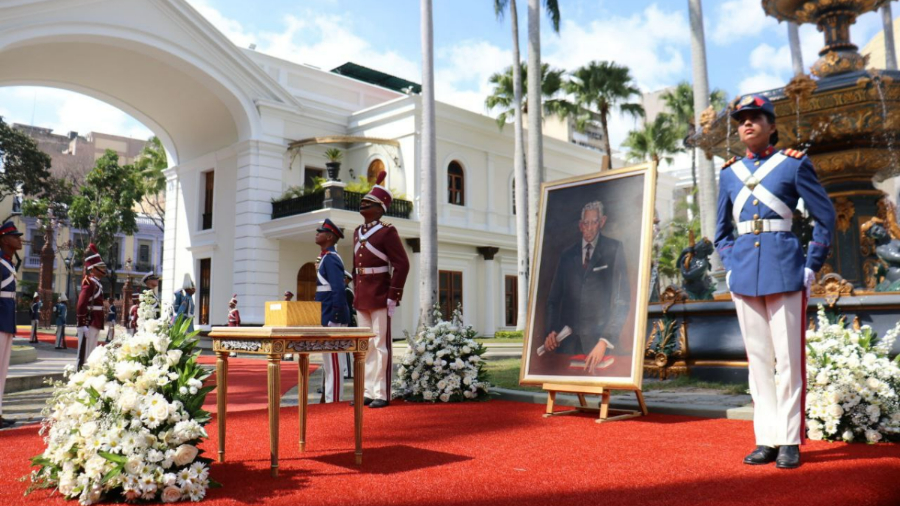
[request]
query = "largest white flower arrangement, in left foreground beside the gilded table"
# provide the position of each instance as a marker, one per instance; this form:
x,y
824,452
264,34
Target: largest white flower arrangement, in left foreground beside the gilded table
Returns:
x,y
128,425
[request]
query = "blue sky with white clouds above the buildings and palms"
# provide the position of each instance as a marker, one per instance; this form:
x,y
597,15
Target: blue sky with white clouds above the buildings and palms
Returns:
x,y
746,51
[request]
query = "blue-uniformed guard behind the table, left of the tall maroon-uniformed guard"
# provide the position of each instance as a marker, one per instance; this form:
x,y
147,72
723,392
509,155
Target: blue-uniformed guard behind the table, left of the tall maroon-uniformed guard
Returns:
x,y
335,312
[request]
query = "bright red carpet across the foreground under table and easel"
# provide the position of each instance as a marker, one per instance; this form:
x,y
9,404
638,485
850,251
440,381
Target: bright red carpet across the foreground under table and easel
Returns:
x,y
504,453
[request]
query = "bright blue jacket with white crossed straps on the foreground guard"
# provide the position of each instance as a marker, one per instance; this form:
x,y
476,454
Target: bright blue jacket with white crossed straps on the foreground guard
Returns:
x,y
760,190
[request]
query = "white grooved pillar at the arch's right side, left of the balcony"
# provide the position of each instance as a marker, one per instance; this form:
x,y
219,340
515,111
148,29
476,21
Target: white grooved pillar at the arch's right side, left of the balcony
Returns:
x,y
256,259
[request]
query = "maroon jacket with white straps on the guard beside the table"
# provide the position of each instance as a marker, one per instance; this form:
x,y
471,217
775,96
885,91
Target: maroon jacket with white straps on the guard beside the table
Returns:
x,y
380,266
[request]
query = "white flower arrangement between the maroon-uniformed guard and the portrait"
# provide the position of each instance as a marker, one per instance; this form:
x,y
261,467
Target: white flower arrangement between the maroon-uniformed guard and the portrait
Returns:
x,y
443,363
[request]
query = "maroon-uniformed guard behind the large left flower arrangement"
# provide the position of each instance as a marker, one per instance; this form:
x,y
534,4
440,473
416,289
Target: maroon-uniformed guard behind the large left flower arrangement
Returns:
x,y
89,312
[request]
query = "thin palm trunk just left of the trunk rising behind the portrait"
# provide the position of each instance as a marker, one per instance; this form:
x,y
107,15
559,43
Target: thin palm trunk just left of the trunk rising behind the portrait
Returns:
x,y
521,181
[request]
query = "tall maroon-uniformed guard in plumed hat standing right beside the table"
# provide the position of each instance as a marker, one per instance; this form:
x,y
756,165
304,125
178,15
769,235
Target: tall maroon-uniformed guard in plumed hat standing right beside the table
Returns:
x,y
381,265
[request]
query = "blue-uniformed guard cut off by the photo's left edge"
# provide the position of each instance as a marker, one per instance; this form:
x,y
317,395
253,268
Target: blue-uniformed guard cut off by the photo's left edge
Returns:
x,y
10,243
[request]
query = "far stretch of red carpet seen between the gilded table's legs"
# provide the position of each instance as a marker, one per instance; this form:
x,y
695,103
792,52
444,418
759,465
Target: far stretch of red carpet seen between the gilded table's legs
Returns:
x,y
247,383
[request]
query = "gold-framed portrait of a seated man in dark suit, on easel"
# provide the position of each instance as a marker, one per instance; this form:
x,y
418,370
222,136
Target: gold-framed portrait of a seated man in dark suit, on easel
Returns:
x,y
590,277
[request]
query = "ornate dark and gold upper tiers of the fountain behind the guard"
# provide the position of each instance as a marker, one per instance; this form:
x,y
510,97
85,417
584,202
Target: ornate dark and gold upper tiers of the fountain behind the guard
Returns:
x,y
846,119
